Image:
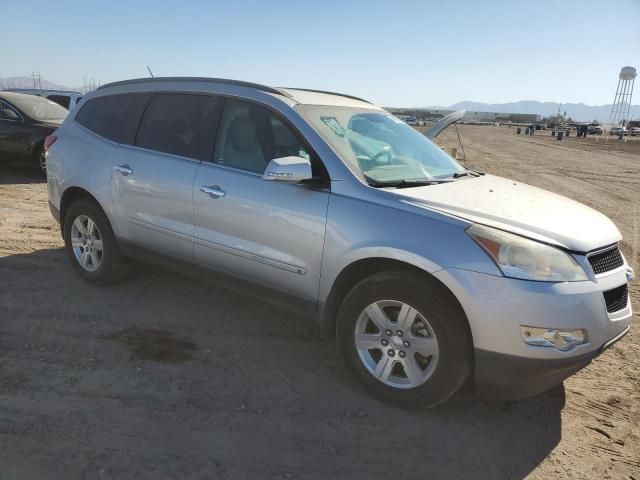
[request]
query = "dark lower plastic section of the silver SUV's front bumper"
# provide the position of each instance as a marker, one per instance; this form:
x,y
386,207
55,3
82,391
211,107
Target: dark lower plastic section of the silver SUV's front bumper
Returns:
x,y
507,377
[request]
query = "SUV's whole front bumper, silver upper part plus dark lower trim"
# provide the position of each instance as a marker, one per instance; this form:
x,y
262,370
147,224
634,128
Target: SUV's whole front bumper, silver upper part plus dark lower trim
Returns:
x,y
496,307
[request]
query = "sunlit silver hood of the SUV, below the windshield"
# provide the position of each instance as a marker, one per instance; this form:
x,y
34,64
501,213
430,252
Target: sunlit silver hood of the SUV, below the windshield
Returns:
x,y
518,208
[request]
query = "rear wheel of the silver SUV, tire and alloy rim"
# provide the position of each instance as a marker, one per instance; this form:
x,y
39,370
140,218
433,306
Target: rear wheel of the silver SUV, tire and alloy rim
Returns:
x,y
98,260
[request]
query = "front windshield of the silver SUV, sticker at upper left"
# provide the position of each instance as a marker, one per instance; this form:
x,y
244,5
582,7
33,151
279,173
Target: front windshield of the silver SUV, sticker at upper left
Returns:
x,y
379,146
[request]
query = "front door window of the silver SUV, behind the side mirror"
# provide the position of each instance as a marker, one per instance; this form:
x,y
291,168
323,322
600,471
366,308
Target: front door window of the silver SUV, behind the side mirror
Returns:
x,y
250,136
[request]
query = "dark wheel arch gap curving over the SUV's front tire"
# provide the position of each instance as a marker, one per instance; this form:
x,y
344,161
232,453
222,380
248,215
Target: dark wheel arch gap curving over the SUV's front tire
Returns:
x,y
360,269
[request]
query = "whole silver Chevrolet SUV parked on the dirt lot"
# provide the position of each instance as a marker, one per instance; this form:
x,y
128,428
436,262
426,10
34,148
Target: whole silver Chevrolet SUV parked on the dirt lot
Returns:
x,y
429,274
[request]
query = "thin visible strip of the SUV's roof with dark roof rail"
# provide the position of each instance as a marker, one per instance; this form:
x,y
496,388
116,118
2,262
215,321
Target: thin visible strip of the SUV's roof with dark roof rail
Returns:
x,y
295,95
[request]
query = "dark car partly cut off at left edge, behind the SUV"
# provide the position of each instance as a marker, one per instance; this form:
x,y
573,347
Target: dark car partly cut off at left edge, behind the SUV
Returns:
x,y
25,122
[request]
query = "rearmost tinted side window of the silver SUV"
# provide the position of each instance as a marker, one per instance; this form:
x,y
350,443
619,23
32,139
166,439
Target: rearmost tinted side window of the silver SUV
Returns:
x,y
115,117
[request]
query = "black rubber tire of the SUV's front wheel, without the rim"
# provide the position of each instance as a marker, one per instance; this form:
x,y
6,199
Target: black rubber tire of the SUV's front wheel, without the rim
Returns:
x,y
446,319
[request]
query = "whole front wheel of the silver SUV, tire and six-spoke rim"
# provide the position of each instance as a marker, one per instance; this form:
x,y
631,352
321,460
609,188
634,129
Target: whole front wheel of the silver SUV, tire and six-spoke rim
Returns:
x,y
439,375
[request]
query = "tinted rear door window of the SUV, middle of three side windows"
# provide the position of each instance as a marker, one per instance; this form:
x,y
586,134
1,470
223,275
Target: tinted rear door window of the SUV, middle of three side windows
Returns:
x,y
180,124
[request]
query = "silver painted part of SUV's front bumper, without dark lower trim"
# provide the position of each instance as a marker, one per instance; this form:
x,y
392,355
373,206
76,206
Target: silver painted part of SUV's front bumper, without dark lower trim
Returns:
x,y
497,306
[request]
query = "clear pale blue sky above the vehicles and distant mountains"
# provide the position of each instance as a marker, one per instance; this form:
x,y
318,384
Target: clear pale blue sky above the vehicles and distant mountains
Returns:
x,y
394,53
